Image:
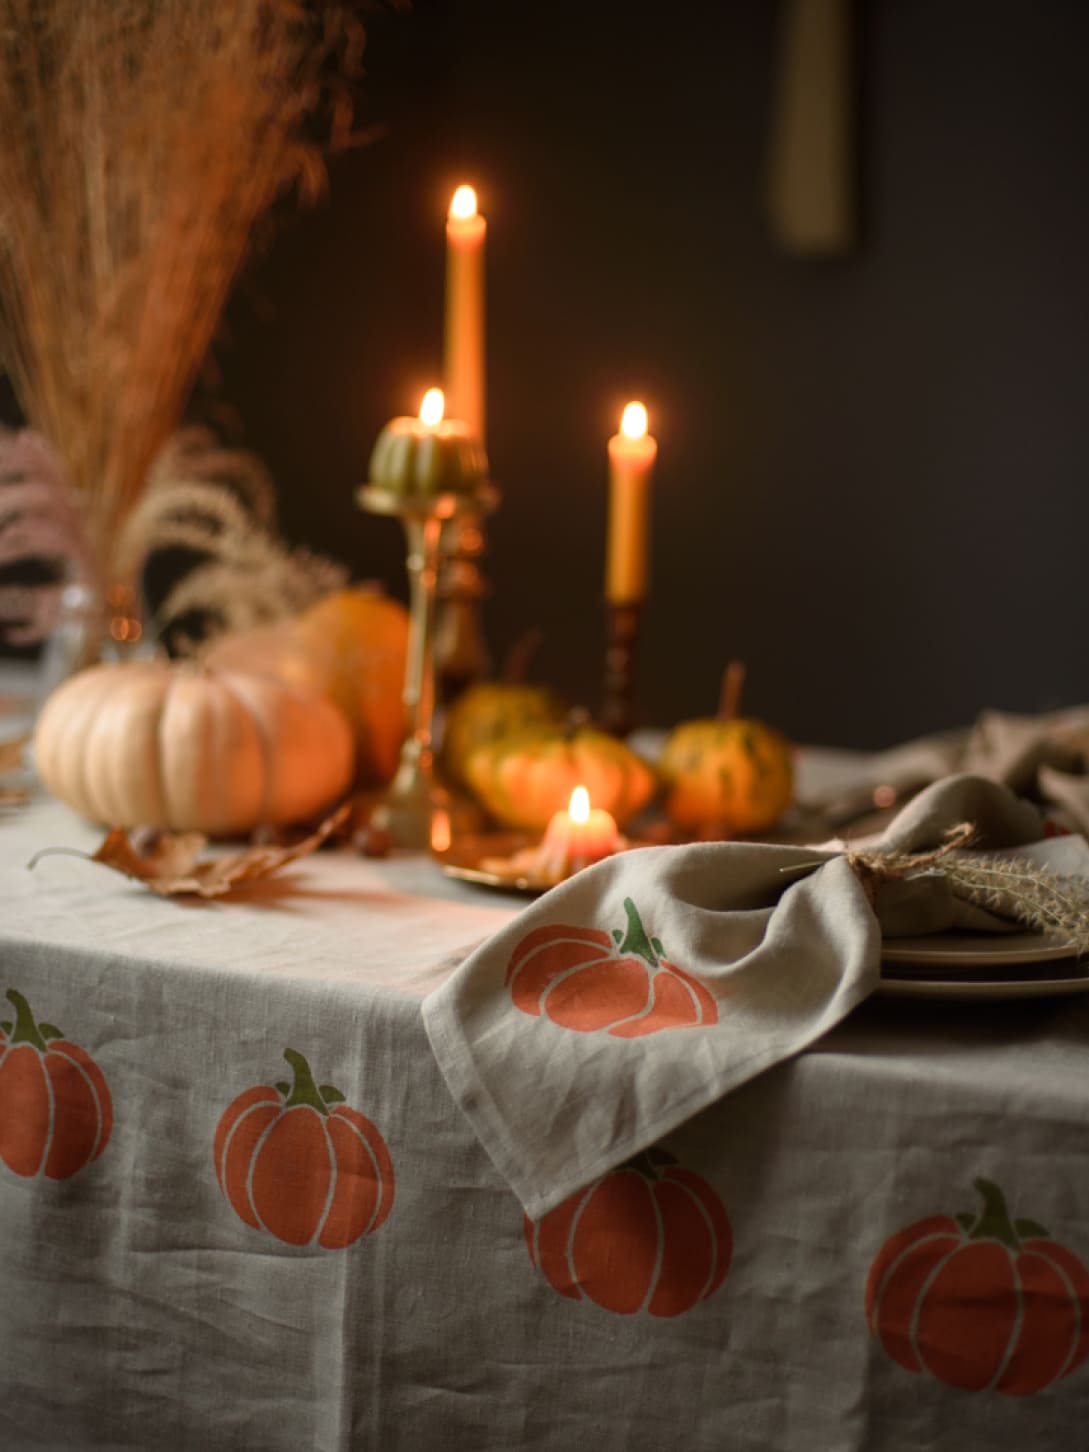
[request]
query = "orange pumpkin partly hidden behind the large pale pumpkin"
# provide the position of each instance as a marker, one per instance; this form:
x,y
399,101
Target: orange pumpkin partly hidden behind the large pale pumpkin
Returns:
x,y
351,648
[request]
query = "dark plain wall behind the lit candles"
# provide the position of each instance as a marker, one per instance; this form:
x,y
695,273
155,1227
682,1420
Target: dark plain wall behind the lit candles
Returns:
x,y
873,478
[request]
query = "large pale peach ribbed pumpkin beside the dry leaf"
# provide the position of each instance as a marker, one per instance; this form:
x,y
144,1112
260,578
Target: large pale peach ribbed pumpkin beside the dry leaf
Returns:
x,y
191,749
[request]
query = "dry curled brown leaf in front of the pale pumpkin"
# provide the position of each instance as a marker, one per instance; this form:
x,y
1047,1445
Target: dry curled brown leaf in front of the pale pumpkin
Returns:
x,y
169,865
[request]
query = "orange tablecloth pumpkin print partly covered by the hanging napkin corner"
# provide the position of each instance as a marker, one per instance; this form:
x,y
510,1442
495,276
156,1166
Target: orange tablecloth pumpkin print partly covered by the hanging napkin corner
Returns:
x,y
645,1238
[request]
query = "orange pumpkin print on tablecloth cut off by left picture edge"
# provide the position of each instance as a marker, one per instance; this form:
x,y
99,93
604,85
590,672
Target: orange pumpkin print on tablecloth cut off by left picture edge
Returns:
x,y
56,1110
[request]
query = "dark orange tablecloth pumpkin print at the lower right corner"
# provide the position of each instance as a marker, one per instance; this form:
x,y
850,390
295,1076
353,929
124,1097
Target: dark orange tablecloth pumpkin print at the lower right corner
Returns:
x,y
981,1302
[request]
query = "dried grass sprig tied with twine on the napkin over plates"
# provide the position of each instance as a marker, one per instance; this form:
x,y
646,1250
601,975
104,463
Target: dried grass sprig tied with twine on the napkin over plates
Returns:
x,y
1016,888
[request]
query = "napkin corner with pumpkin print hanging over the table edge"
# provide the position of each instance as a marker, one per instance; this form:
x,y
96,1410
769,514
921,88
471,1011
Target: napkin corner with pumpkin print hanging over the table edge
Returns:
x,y
573,1042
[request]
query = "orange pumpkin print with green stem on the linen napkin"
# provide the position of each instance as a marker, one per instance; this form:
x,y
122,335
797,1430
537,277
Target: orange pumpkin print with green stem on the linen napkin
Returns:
x,y
587,979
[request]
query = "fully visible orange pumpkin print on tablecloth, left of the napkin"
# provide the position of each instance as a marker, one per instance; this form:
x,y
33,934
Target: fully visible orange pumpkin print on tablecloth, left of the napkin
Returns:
x,y
298,1162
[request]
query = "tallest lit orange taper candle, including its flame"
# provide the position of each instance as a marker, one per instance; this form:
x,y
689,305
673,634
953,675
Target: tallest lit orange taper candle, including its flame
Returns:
x,y
464,342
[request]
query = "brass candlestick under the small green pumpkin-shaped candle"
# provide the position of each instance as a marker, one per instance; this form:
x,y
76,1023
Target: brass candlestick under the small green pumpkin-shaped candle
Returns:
x,y
409,809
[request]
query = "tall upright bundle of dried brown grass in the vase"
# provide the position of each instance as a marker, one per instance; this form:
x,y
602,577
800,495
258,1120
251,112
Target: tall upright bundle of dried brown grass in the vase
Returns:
x,y
143,143
